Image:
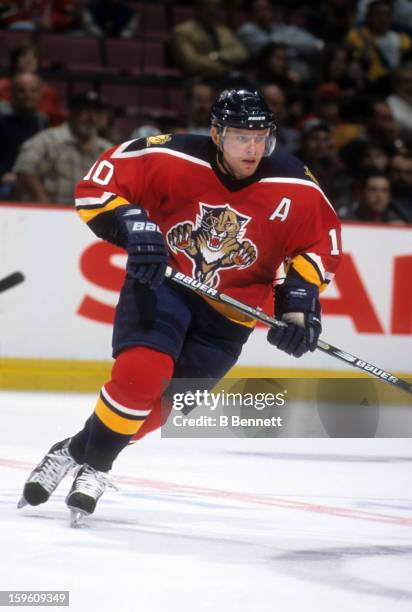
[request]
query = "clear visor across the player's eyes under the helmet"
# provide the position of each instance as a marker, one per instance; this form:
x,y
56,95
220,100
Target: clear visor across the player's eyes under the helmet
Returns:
x,y
242,143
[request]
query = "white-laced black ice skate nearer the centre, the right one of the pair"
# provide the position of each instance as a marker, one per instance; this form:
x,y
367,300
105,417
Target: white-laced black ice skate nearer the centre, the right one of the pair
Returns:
x,y
87,488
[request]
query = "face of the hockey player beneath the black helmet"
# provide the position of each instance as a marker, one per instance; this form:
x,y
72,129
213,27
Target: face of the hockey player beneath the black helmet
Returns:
x,y
243,150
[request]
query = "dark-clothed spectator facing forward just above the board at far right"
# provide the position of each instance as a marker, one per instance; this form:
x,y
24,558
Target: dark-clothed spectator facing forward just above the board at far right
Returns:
x,y
373,199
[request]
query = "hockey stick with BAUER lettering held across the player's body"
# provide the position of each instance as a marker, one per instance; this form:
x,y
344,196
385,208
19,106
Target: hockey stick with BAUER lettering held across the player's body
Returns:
x,y
257,313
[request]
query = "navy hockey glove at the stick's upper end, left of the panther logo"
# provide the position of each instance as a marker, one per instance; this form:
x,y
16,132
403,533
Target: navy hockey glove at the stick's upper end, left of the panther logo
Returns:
x,y
144,243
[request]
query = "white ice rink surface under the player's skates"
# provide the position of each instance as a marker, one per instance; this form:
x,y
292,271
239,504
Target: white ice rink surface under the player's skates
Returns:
x,y
234,525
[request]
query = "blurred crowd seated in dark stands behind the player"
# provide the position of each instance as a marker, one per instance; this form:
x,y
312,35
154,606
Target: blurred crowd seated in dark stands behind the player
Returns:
x,y
79,76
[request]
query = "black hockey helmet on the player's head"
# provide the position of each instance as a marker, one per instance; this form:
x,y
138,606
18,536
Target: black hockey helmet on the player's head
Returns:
x,y
243,109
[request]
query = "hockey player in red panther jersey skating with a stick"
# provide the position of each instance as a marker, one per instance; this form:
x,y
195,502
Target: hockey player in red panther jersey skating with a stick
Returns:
x,y
227,210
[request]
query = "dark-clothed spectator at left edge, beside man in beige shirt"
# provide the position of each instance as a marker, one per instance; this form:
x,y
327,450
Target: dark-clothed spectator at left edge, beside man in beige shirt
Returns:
x,y
20,123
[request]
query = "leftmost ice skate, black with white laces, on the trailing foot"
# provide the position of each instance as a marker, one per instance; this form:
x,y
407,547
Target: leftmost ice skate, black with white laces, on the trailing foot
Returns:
x,y
44,479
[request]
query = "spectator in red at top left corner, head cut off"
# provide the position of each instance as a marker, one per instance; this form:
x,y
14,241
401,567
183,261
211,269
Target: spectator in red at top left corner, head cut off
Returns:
x,y
37,15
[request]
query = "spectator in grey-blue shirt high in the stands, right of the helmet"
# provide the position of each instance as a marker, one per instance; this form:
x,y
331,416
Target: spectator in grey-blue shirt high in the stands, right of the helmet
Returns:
x,y
264,28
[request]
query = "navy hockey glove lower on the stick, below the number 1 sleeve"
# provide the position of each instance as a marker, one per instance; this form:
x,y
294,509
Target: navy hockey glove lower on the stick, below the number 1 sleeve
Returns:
x,y
297,304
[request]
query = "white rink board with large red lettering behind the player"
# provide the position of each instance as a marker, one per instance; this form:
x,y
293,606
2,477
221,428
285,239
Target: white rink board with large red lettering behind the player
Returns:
x,y
40,318
